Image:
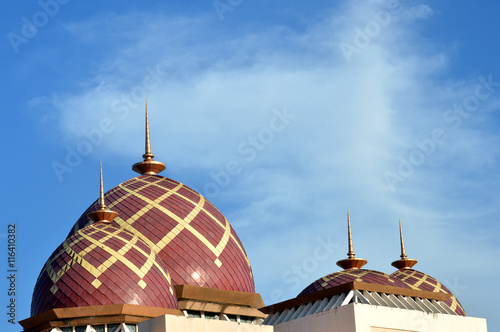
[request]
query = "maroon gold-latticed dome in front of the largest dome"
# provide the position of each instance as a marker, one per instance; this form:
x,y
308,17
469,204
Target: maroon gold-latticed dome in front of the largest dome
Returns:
x,y
99,265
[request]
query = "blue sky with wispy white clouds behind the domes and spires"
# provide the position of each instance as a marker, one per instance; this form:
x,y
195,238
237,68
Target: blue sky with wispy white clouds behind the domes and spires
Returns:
x,y
389,109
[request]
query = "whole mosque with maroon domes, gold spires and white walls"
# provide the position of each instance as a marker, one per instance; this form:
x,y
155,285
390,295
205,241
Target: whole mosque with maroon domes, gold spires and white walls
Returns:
x,y
153,255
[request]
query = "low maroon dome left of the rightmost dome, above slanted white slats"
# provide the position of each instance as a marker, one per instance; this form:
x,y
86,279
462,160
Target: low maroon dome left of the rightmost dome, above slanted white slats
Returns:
x,y
346,276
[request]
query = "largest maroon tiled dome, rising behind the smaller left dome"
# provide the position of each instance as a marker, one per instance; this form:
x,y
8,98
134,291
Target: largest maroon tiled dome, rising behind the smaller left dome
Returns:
x,y
193,239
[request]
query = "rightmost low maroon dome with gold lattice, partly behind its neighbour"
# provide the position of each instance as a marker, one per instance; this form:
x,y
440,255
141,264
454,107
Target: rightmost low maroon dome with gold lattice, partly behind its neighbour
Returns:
x,y
421,281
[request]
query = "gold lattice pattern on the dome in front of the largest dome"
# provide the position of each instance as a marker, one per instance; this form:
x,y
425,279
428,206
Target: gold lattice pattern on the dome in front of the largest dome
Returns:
x,y
80,257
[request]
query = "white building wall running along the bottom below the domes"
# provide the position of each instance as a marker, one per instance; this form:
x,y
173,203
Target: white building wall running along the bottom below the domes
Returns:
x,y
349,318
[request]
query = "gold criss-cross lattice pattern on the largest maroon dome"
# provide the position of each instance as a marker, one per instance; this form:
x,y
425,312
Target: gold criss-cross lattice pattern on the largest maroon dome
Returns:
x,y
183,223
